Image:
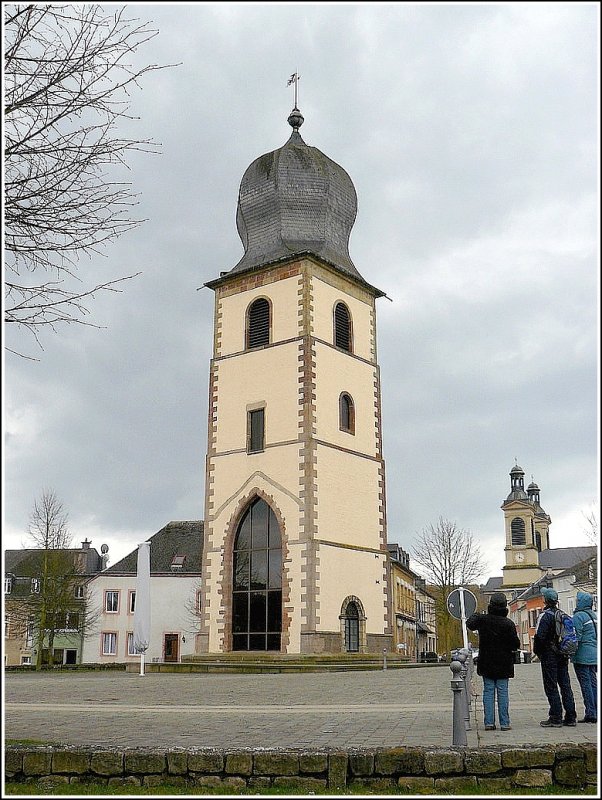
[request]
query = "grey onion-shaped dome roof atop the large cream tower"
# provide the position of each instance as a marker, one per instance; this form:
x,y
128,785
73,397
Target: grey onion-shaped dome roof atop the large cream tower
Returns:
x,y
296,200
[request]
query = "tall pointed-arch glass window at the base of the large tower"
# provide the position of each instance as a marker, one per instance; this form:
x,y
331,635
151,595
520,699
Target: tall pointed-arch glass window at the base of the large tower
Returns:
x,y
257,580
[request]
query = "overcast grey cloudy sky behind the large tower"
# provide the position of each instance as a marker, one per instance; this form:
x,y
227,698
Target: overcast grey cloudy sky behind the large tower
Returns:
x,y
471,133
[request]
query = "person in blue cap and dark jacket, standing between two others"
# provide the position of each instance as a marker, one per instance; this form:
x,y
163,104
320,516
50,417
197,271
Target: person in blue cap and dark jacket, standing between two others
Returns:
x,y
554,666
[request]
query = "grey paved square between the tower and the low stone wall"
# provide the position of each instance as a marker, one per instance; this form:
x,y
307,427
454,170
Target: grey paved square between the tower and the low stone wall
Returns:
x,y
345,709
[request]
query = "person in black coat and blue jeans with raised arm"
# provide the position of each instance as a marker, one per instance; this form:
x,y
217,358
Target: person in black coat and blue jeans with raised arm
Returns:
x,y
497,642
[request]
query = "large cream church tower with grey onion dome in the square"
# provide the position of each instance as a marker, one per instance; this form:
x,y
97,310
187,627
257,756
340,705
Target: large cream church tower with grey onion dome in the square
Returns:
x,y
295,541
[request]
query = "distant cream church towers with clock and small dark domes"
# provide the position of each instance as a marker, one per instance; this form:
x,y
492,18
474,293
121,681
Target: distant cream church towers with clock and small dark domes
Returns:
x,y
527,532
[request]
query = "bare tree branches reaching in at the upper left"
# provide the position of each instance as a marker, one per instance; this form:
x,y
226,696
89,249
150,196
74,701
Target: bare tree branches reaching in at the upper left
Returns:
x,y
68,83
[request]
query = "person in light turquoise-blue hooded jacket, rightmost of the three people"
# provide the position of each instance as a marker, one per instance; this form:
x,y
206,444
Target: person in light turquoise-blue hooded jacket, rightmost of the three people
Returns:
x,y
585,660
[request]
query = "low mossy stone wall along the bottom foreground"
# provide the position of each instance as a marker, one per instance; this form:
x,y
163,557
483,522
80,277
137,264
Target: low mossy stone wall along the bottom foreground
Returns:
x,y
416,770
